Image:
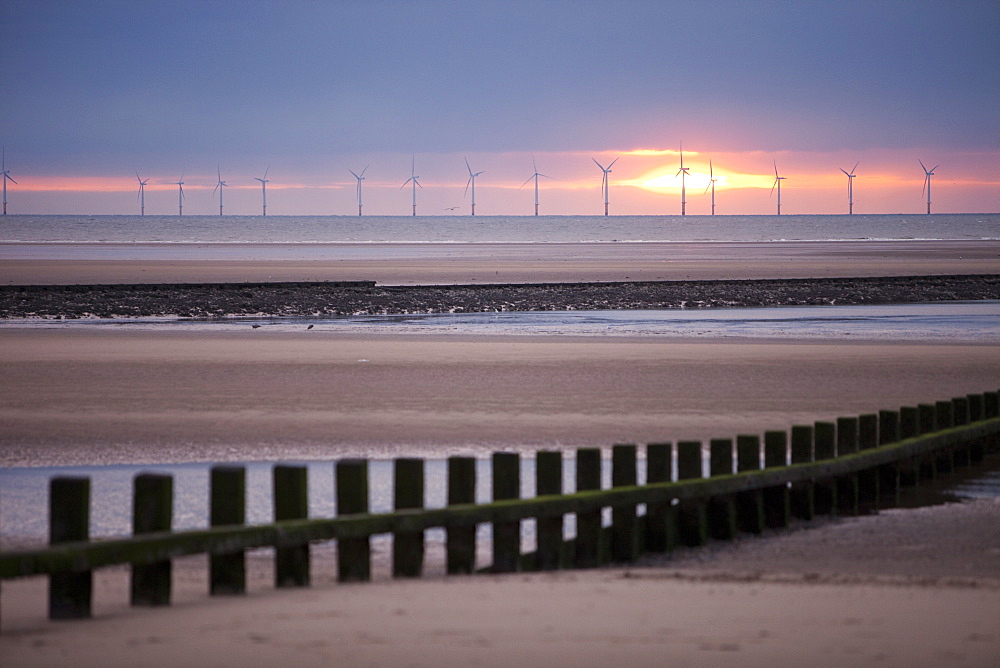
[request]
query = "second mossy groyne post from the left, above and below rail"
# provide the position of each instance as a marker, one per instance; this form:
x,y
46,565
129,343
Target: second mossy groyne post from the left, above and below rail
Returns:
x,y
152,511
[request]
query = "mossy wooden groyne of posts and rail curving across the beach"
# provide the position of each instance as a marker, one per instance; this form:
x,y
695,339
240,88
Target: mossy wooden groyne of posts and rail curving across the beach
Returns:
x,y
694,492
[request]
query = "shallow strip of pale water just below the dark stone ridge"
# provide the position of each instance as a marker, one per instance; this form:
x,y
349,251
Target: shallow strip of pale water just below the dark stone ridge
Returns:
x,y
966,322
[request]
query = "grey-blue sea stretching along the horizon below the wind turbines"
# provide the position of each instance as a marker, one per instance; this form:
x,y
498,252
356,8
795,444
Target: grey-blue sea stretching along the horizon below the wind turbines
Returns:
x,y
496,229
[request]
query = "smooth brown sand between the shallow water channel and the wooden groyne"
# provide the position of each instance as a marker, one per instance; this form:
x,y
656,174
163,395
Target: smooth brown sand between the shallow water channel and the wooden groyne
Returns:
x,y
77,395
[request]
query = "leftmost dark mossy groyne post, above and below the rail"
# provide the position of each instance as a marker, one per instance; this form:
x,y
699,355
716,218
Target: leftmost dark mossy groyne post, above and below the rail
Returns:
x,y
69,521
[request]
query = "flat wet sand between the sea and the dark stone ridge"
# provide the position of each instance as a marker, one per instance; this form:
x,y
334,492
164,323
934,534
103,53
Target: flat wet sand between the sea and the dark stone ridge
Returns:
x,y
428,264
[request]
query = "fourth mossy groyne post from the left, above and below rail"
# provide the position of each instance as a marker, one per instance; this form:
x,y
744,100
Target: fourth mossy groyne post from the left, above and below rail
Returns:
x,y
291,502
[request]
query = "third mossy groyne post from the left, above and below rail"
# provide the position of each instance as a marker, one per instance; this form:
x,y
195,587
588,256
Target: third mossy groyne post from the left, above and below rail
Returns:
x,y
227,572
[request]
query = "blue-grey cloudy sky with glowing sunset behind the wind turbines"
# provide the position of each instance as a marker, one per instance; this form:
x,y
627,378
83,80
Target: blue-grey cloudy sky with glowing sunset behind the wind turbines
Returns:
x,y
93,93
